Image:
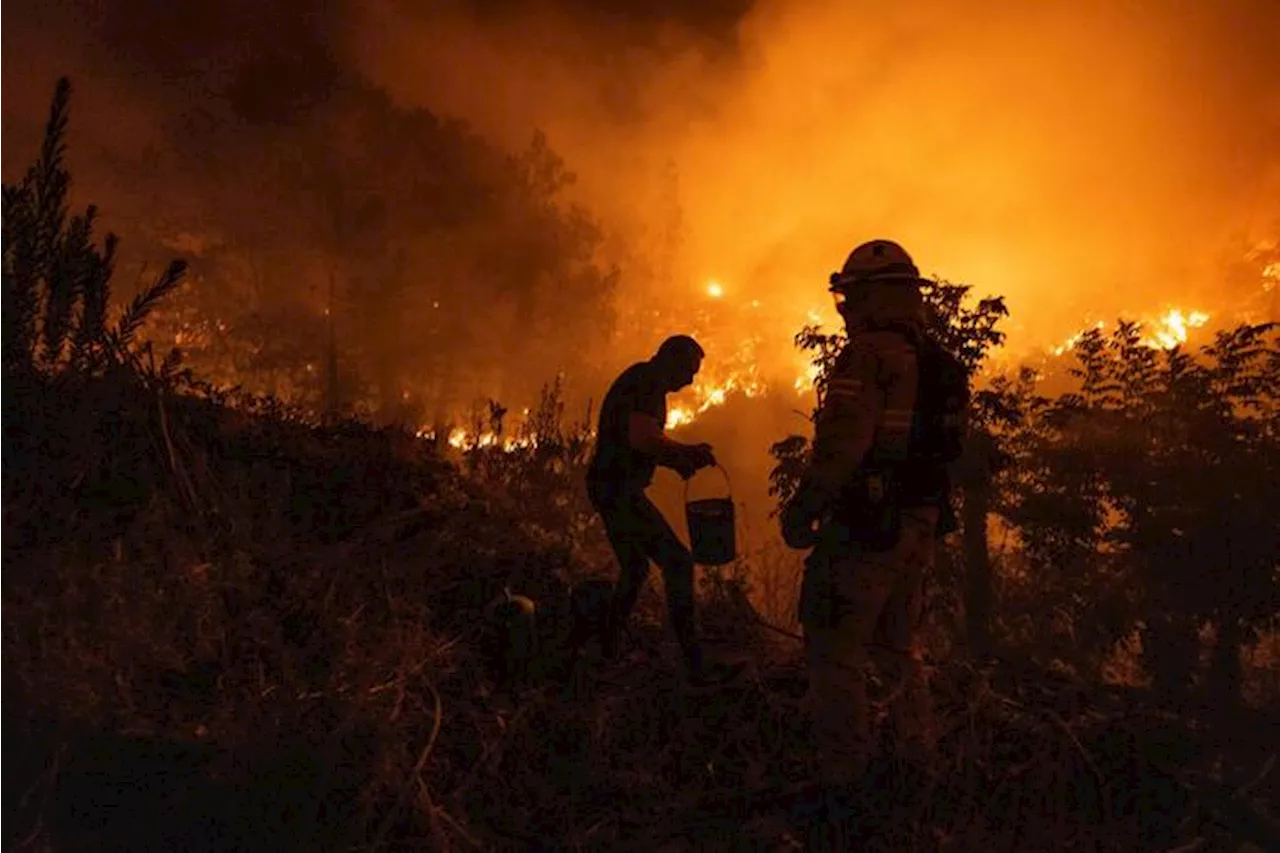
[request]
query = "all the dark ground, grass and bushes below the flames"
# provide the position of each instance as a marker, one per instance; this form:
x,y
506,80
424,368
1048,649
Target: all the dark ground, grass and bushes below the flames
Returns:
x,y
227,627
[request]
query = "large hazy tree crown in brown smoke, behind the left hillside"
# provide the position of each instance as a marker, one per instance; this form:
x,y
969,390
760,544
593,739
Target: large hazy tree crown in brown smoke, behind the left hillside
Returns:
x,y
445,264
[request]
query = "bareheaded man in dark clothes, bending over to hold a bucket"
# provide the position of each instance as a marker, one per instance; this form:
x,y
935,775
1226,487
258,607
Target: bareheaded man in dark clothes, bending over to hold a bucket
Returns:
x,y
630,446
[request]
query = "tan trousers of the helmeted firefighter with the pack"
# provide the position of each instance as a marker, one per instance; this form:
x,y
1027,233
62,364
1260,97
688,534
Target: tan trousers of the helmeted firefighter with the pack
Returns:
x,y
856,601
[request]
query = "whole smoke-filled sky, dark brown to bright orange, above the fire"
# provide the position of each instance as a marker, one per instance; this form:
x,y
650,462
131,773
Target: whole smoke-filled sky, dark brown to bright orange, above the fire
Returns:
x,y
1081,159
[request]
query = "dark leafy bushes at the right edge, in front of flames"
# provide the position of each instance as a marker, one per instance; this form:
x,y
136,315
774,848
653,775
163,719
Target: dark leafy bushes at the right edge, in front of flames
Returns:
x,y
1144,499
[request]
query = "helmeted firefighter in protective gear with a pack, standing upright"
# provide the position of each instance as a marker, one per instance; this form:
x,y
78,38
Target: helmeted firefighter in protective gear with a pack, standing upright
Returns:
x,y
868,507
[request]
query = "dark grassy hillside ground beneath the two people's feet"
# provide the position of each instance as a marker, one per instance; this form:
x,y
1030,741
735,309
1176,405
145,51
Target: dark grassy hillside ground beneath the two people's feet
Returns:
x,y
272,644
